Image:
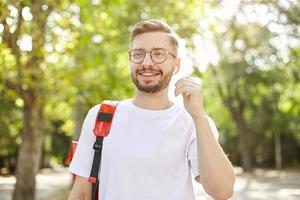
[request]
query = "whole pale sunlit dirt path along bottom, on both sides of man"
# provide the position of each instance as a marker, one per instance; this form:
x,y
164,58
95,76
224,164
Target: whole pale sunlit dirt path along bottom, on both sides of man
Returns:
x,y
260,185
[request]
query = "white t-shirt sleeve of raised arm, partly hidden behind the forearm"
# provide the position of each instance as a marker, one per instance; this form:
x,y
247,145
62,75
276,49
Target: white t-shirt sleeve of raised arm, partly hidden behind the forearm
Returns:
x,y
192,146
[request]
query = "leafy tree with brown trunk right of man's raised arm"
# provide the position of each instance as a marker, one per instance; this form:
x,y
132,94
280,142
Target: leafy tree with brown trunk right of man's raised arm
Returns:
x,y
252,74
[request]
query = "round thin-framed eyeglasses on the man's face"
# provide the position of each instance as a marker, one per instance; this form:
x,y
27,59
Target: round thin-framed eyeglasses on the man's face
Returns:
x,y
158,56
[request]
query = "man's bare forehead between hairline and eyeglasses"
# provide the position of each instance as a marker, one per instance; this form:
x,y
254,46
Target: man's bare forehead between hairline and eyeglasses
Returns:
x,y
151,40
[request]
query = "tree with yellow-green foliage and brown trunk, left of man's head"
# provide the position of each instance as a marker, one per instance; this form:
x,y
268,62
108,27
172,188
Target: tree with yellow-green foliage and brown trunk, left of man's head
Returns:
x,y
88,68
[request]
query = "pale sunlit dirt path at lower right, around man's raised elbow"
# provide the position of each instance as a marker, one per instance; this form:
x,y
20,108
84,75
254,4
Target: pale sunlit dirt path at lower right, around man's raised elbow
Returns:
x,y
263,185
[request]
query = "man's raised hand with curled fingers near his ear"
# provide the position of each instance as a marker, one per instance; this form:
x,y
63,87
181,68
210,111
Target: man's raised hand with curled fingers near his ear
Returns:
x,y
191,90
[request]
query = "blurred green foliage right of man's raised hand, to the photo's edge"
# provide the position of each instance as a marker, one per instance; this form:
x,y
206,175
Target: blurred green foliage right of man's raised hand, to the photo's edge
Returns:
x,y
255,78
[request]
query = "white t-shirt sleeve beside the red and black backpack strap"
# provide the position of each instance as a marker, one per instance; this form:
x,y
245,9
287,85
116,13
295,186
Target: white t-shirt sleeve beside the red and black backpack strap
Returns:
x,y
83,157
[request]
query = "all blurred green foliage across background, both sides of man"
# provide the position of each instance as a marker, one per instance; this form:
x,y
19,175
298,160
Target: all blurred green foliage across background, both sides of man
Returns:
x,y
86,58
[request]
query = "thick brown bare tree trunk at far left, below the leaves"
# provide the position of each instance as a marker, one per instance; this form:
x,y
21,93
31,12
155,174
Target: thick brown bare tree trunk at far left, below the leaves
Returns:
x,y
30,151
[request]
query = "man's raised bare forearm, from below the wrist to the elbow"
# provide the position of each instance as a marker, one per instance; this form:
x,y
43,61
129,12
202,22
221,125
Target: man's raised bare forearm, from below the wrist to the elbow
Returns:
x,y
216,172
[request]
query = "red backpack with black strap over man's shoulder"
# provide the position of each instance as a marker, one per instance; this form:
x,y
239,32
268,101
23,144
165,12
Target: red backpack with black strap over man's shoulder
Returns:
x,y
101,129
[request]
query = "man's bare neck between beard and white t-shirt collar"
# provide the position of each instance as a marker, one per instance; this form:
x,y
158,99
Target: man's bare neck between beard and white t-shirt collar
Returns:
x,y
154,101
